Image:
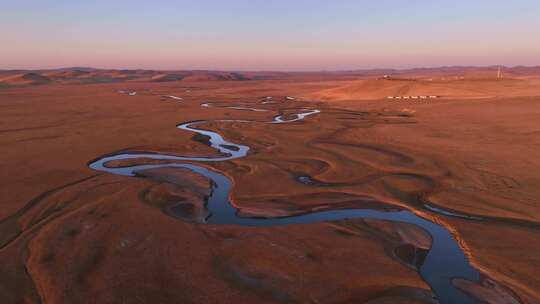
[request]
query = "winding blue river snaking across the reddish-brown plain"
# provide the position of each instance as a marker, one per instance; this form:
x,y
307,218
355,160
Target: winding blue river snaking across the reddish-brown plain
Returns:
x,y
444,261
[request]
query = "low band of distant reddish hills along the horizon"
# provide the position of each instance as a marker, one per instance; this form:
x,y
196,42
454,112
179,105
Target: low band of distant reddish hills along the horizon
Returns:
x,y
75,75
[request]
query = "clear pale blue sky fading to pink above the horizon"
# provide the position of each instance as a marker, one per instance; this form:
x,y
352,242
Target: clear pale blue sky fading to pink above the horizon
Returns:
x,y
286,35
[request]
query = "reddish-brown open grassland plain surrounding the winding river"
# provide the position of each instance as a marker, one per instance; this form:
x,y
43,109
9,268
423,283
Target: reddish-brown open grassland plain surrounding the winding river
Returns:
x,y
69,234
